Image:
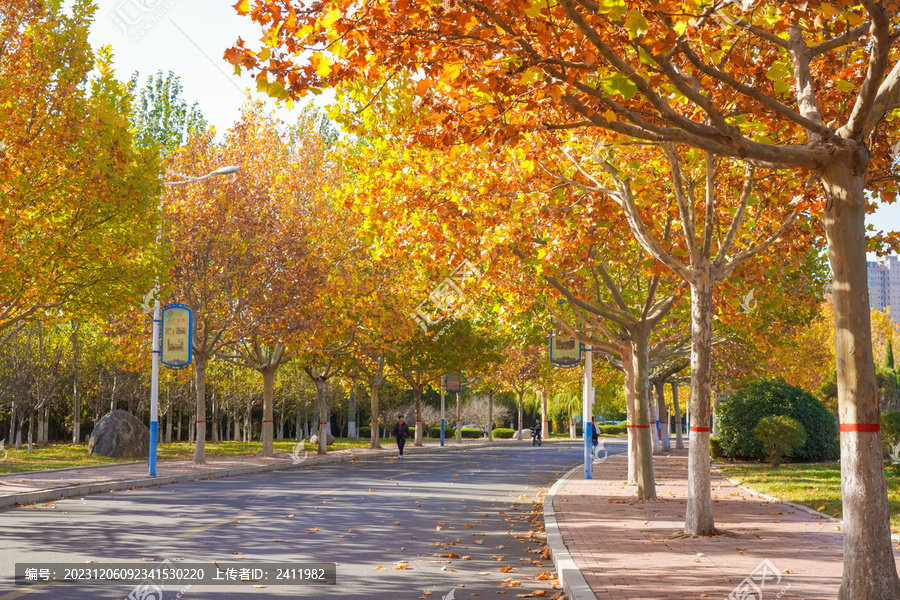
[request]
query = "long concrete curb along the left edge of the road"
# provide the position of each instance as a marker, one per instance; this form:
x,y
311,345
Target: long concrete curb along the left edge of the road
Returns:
x,y
122,484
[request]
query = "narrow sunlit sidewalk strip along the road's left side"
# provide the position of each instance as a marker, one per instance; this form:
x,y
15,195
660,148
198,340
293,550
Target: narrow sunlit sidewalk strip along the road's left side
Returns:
x,y
40,486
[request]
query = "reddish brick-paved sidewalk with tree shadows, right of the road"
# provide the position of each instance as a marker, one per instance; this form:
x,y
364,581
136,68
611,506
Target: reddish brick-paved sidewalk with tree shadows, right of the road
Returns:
x,y
634,550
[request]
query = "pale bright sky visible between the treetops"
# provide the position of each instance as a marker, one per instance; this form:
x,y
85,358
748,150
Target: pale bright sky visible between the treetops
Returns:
x,y
189,38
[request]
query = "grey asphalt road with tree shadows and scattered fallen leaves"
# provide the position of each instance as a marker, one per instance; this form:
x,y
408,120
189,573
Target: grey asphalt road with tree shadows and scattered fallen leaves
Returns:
x,y
385,523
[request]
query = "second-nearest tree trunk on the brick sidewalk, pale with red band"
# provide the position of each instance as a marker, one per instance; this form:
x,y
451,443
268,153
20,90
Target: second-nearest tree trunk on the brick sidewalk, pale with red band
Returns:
x,y
699,514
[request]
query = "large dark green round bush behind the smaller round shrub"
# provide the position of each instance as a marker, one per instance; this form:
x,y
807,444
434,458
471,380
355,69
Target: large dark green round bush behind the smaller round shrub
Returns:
x,y
770,397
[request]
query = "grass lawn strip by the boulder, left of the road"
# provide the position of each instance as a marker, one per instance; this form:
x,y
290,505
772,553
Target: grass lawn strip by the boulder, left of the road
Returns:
x,y
59,456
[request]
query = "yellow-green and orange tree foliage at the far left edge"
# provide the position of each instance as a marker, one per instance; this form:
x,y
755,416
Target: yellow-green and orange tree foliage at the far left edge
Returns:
x,y
76,195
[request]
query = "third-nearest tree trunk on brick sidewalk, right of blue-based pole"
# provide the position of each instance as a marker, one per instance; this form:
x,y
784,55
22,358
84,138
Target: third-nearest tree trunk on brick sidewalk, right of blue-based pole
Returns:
x,y
640,343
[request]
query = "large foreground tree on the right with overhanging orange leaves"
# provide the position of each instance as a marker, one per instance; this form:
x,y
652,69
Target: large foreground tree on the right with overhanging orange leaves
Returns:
x,y
818,94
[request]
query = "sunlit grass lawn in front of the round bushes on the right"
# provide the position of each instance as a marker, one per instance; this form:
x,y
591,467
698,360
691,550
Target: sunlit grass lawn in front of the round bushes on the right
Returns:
x,y
813,485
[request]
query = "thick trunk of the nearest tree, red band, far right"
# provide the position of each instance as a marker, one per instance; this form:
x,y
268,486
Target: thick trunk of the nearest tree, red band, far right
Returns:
x,y
869,569
